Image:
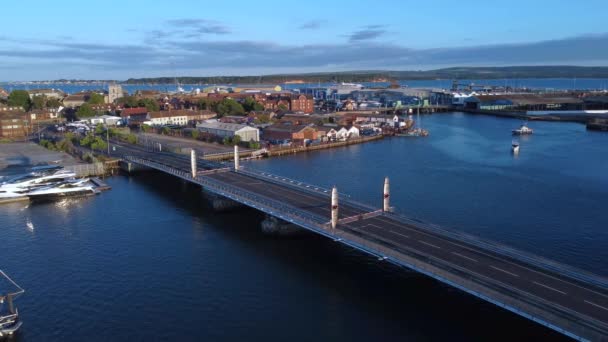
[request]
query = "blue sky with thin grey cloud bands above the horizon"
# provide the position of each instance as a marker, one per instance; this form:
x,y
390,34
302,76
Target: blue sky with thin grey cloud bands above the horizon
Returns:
x,y
115,39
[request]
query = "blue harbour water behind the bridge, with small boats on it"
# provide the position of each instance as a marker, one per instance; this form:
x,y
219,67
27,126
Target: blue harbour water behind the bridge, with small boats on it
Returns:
x,y
549,200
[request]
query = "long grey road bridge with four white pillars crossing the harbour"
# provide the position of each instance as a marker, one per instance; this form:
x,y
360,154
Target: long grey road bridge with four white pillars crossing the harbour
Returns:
x,y
568,300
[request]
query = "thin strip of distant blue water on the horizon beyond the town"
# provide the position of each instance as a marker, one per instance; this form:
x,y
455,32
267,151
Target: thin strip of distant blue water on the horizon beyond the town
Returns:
x,y
533,83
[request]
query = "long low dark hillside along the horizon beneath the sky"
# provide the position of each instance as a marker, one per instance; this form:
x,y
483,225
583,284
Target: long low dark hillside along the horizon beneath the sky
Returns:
x,y
384,75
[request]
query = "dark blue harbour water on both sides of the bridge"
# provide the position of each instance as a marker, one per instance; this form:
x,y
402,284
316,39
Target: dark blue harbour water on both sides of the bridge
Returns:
x,y
149,261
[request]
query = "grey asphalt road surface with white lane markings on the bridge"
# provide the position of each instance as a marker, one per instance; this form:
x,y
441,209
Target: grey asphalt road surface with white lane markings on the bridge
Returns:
x,y
525,279
